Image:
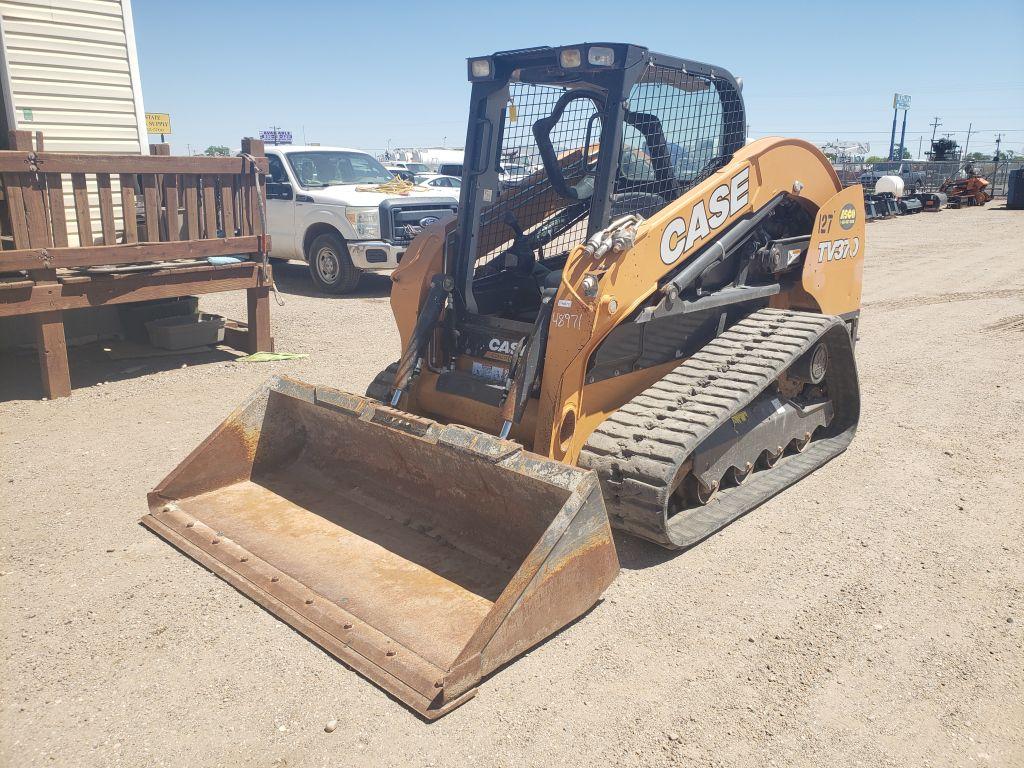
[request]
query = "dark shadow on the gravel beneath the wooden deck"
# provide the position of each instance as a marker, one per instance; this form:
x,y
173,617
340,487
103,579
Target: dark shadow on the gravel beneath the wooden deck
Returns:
x,y
90,367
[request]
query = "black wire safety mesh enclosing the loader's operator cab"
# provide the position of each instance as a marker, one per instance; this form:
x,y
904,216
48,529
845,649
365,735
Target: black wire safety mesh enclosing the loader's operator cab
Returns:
x,y
678,130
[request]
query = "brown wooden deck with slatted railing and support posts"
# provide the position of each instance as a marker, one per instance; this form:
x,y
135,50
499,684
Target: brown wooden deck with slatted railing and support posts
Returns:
x,y
190,209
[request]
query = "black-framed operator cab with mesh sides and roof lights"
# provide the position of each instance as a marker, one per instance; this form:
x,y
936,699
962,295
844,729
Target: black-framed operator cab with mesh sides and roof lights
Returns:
x,y
599,132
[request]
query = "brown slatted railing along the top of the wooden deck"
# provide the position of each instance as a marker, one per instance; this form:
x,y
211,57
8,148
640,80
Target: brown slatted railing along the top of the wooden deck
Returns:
x,y
184,202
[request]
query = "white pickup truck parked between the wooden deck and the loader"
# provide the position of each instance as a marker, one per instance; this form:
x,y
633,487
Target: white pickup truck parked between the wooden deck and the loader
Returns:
x,y
322,207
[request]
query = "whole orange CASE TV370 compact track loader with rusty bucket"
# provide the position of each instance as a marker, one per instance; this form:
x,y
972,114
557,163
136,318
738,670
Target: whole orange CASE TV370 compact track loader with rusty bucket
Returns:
x,y
650,327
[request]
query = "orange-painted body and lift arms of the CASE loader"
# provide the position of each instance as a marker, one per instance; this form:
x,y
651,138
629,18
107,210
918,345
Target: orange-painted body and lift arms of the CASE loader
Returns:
x,y
569,410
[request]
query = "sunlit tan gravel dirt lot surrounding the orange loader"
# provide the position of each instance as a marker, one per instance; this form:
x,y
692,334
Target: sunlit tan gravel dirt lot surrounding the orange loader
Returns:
x,y
872,616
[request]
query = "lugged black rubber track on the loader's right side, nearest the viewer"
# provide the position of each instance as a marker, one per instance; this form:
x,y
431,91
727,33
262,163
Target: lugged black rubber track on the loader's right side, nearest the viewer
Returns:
x,y
638,451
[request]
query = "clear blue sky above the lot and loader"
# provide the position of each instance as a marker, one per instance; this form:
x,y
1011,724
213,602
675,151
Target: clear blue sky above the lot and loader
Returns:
x,y
363,74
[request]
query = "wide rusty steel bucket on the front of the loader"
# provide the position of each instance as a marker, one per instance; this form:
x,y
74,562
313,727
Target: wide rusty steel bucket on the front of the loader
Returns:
x,y
424,557
